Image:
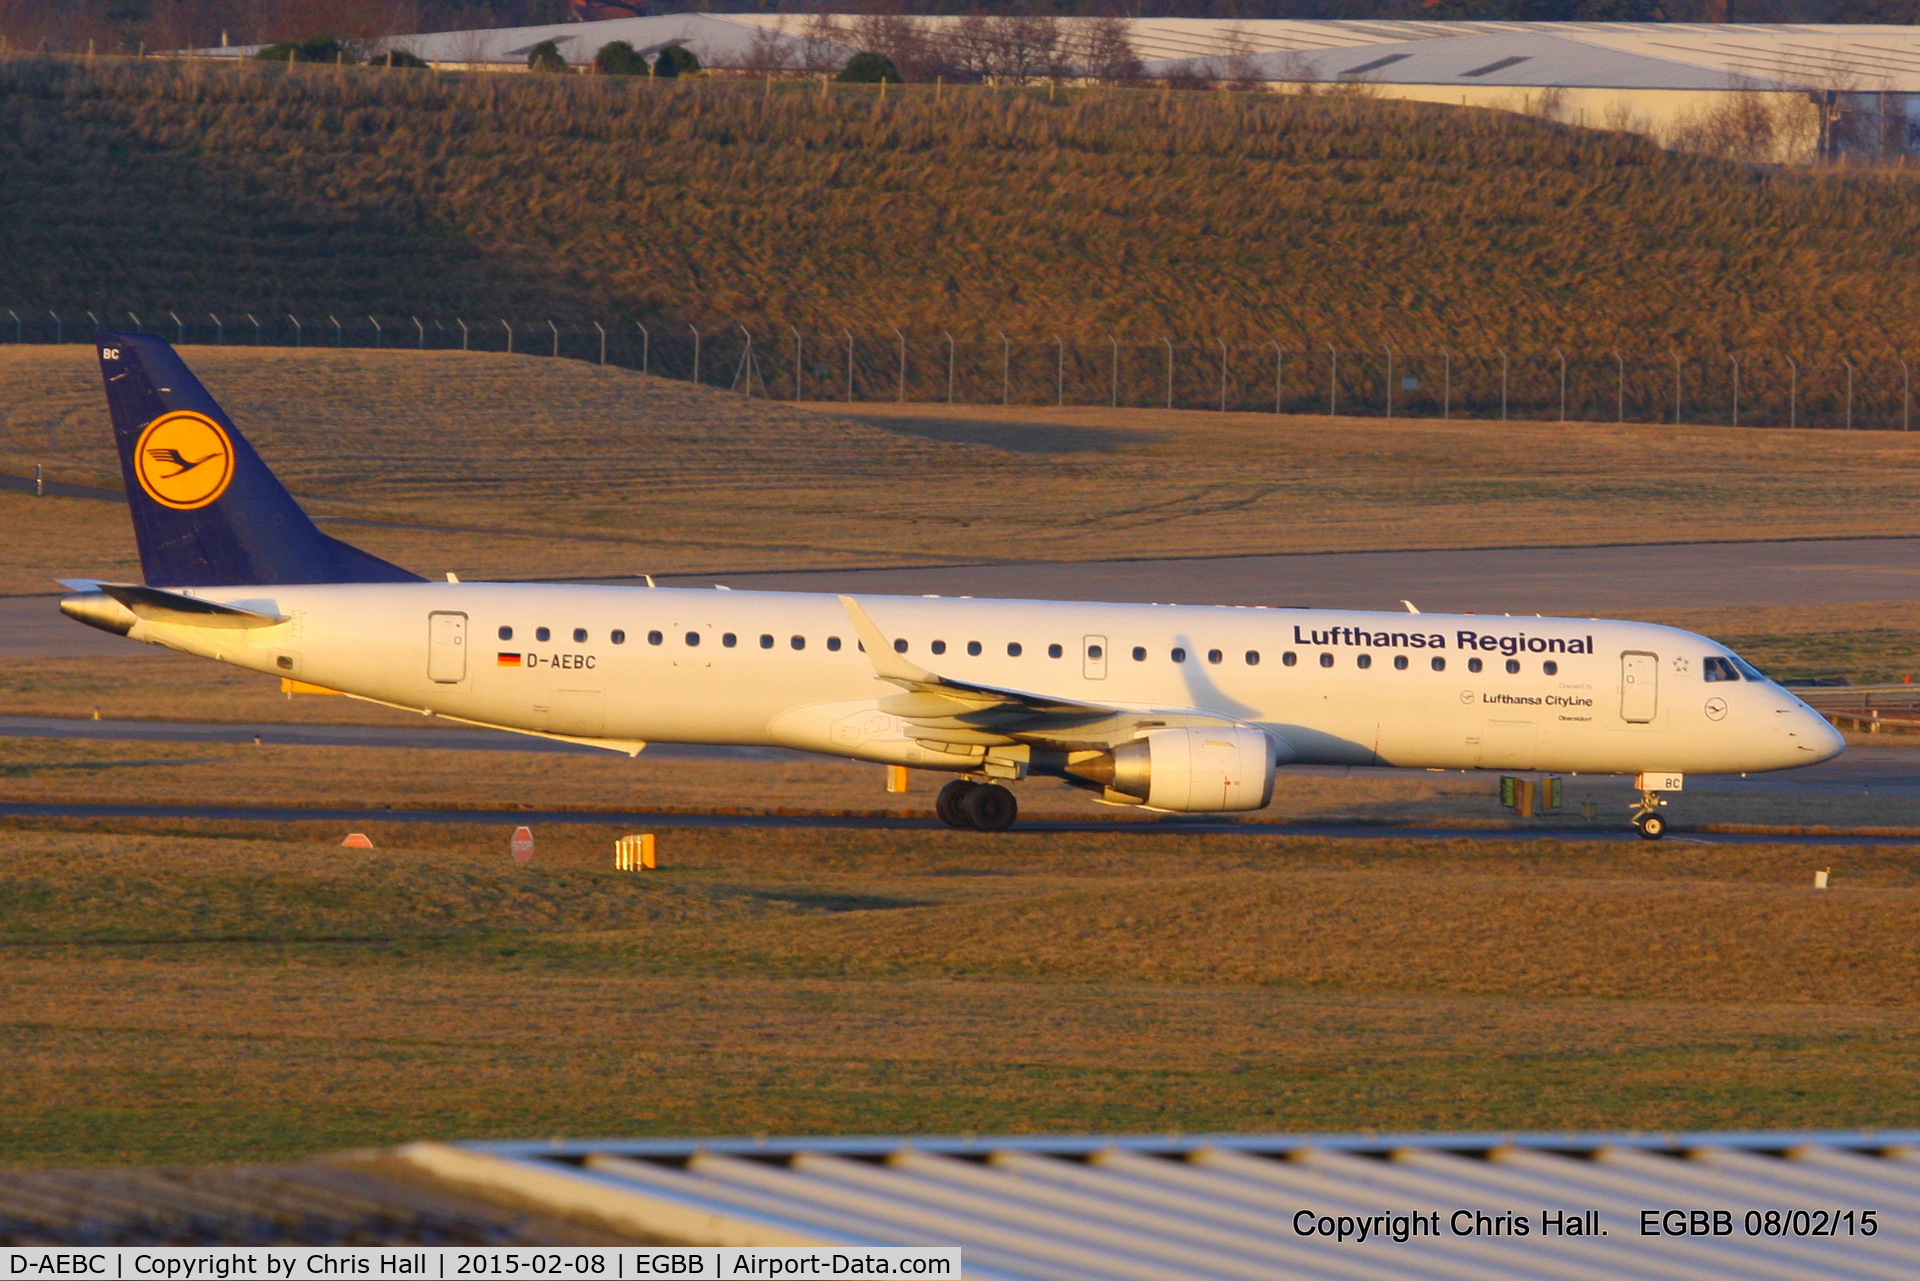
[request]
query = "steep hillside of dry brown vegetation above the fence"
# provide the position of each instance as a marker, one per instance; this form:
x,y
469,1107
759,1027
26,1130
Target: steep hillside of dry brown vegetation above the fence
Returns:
x,y
1149,214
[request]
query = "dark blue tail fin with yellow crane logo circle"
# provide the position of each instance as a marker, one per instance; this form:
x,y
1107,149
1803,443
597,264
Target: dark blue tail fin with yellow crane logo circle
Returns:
x,y
206,512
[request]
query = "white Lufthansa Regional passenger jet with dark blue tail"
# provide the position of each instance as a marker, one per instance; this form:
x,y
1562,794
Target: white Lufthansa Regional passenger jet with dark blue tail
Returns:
x,y
1159,706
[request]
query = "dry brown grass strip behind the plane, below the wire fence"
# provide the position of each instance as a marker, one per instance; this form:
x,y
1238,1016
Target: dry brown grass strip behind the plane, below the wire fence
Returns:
x,y
539,468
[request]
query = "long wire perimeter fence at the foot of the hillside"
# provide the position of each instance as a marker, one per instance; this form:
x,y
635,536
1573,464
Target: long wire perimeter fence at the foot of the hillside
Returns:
x,y
1284,377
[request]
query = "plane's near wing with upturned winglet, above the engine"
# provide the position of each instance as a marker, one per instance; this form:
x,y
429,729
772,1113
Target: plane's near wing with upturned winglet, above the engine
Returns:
x,y
957,712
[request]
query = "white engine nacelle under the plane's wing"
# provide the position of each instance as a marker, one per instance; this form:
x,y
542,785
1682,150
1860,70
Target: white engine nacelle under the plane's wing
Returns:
x,y
1193,769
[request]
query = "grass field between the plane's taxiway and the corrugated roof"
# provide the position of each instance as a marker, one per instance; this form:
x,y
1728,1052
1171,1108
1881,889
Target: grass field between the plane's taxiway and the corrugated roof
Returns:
x,y
220,994
